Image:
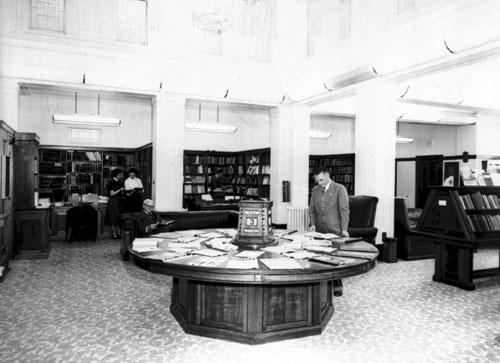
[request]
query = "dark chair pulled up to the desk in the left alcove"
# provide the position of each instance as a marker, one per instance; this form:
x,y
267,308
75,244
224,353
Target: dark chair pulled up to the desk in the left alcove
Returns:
x,y
81,220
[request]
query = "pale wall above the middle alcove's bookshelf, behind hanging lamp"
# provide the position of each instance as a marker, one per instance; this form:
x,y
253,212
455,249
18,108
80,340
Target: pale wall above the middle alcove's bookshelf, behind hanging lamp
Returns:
x,y
253,125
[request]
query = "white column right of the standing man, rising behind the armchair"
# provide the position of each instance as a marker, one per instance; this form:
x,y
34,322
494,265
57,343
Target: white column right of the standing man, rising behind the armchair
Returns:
x,y
375,147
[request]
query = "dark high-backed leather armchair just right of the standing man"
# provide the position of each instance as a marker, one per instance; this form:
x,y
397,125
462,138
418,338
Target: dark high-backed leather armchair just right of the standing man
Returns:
x,y
362,209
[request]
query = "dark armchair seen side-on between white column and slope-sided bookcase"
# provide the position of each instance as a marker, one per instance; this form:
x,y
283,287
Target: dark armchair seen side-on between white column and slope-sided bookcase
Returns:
x,y
410,245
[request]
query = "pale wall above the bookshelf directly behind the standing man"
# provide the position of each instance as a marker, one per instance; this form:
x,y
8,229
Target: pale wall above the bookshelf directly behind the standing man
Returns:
x,y
342,139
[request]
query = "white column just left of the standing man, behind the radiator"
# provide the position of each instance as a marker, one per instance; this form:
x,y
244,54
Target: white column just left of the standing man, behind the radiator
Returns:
x,y
289,157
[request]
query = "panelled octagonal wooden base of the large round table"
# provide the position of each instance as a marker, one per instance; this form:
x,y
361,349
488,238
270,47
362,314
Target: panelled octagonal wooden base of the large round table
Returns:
x,y
252,314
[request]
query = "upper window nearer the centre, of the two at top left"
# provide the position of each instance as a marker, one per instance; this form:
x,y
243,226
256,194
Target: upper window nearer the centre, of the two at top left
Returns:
x,y
131,21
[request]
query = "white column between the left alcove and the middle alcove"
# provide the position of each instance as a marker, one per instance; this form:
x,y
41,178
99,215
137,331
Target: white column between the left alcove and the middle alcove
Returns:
x,y
168,151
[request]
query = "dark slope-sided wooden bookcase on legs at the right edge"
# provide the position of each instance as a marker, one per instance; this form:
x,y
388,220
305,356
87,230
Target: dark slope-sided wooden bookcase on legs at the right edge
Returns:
x,y
461,220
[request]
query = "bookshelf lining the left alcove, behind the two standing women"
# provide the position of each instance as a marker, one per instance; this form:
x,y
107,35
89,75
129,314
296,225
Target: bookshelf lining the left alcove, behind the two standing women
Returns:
x,y
66,170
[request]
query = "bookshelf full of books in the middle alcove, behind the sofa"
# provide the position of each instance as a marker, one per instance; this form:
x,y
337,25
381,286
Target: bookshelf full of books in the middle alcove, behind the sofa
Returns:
x,y
244,174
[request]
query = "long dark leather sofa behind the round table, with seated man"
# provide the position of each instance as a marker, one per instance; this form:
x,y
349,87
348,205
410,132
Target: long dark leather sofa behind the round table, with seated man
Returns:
x,y
182,221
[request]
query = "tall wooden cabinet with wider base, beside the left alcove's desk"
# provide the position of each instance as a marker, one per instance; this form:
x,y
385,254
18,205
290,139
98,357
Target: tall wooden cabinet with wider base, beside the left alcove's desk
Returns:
x,y
31,224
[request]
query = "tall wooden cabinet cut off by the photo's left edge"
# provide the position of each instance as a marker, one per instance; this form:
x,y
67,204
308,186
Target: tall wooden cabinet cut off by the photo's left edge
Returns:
x,y
6,187
